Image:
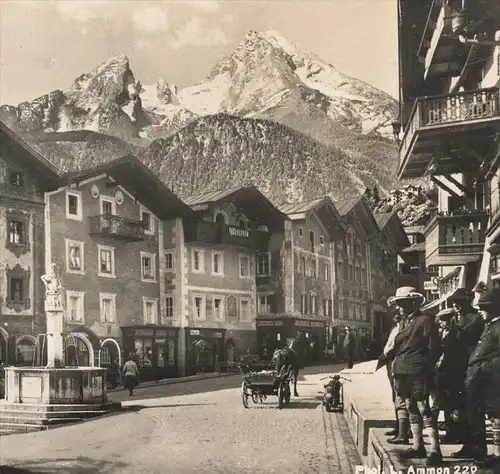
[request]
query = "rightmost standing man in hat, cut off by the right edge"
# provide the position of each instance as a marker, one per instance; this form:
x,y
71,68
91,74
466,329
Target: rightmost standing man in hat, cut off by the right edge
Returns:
x,y
482,384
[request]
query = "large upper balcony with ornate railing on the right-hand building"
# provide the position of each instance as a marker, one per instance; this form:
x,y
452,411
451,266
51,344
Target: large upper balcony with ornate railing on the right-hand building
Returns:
x,y
446,124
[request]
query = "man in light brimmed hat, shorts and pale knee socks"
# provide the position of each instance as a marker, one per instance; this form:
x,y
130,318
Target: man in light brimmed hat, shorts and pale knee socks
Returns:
x,y
416,352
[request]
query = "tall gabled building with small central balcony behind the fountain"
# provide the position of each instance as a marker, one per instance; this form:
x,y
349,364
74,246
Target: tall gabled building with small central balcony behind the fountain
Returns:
x,y
103,228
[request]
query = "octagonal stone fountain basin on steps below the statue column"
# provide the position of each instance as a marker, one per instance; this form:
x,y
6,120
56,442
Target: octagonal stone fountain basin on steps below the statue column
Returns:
x,y
40,397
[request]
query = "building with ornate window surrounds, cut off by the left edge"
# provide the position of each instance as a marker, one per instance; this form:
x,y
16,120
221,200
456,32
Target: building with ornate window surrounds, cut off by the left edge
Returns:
x,y
24,177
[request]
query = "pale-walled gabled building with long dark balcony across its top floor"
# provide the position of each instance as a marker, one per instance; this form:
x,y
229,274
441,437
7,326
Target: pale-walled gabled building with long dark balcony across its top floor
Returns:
x,y
212,258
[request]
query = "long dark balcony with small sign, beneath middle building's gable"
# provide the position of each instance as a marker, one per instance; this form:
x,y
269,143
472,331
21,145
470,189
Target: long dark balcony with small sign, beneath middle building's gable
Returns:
x,y
207,232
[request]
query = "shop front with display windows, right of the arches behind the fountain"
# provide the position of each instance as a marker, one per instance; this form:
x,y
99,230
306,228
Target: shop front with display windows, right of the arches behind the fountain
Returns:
x,y
154,349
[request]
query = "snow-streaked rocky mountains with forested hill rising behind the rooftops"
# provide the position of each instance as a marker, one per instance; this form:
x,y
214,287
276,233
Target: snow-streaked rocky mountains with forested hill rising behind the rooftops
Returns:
x,y
270,111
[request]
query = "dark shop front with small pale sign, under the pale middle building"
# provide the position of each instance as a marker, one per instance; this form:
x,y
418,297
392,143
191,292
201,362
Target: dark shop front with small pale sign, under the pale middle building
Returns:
x,y
205,349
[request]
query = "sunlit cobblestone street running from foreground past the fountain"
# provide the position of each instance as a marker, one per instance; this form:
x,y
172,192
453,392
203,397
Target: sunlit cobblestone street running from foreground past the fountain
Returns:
x,y
195,431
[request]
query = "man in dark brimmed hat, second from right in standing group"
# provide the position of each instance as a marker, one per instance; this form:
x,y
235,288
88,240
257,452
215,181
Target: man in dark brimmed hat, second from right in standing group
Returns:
x,y
469,326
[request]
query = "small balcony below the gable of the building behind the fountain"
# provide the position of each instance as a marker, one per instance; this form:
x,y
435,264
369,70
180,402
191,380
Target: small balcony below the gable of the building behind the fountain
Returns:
x,y
117,227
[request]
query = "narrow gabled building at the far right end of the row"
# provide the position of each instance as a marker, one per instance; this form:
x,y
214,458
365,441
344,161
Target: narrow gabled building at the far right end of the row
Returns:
x,y
384,251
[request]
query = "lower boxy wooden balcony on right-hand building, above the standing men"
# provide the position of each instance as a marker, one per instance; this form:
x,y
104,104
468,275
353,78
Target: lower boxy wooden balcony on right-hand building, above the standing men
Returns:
x,y
455,237
